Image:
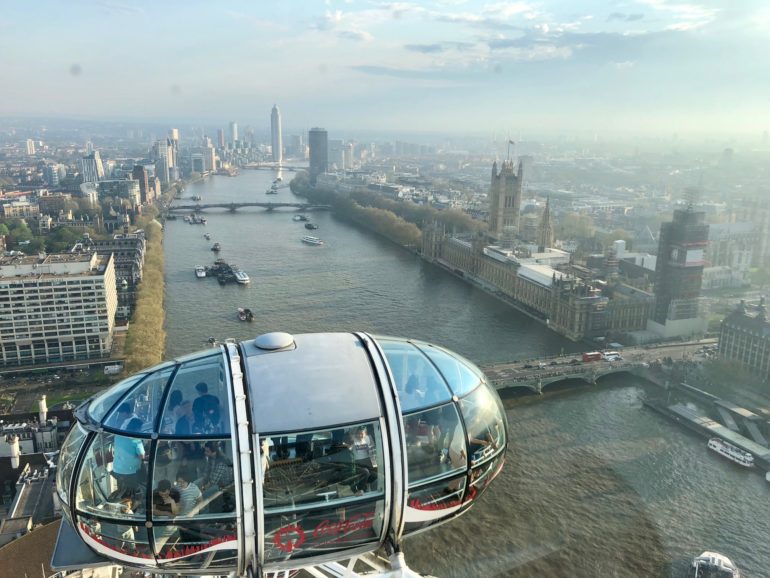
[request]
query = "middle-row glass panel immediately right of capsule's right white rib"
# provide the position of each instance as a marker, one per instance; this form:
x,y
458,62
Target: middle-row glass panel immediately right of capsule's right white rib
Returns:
x,y
434,443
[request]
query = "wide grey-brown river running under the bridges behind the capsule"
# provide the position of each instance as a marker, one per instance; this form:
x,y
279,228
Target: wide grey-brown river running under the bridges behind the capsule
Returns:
x,y
595,484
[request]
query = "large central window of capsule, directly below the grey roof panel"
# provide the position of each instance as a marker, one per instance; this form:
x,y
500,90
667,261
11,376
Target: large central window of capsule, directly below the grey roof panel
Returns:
x,y
316,467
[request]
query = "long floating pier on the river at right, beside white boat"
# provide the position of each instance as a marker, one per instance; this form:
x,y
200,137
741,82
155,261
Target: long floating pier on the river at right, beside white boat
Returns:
x,y
700,423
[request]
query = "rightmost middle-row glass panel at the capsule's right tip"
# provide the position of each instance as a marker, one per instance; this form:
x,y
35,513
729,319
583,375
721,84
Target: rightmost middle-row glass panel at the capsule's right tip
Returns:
x,y
485,424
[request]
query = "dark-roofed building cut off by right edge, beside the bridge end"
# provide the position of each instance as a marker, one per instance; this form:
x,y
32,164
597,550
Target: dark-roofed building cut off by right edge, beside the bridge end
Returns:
x,y
744,337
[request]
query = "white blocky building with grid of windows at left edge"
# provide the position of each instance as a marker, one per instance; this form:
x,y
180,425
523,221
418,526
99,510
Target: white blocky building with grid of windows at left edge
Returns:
x,y
59,307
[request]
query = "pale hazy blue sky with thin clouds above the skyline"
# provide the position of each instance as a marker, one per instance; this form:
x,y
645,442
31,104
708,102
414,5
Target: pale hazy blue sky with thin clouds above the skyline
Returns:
x,y
446,65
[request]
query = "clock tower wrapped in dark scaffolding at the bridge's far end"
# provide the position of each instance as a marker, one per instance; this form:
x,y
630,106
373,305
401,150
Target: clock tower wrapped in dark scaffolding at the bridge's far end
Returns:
x,y
679,274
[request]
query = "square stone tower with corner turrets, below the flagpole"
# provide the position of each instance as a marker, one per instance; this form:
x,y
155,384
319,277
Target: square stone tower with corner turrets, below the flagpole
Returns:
x,y
505,200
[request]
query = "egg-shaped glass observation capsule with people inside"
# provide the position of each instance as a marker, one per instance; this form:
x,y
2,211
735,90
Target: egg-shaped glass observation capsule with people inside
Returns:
x,y
280,452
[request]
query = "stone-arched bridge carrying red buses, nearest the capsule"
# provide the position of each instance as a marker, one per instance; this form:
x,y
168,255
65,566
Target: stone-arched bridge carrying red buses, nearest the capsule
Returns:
x,y
538,374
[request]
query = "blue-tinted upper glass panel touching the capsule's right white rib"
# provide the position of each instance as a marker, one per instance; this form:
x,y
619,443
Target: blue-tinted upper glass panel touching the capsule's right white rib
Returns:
x,y
418,383
